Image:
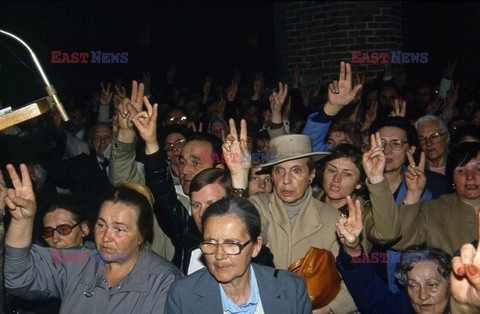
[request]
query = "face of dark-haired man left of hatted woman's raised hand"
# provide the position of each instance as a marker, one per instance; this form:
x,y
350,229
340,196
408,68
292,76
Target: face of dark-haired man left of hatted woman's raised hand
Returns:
x,y
191,162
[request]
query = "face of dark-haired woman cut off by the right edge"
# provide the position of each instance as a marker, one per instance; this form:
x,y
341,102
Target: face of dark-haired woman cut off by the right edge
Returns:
x,y
467,179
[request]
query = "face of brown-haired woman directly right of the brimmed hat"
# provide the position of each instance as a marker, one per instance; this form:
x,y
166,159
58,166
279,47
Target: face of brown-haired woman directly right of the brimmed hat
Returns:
x,y
340,178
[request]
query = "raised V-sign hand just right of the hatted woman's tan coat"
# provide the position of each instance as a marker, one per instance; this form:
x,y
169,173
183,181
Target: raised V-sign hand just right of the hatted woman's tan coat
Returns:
x,y
349,229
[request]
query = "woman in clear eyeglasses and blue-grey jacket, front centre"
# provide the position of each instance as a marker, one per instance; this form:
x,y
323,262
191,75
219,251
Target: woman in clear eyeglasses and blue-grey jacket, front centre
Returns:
x,y
231,283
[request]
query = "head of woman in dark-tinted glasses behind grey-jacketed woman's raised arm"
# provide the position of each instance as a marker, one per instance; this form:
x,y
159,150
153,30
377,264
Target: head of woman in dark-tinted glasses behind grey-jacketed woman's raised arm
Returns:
x,y
65,224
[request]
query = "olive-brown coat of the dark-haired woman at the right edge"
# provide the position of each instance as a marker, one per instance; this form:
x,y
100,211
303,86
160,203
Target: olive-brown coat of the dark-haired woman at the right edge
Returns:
x,y
445,223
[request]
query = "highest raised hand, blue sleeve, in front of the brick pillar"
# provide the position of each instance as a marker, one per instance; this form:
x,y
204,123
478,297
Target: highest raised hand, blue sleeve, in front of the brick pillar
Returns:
x,y
341,93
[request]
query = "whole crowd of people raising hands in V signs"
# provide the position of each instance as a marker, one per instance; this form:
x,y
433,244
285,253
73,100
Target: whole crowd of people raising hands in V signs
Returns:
x,y
165,199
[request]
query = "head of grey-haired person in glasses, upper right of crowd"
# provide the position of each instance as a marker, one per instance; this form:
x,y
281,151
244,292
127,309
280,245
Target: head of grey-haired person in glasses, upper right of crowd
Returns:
x,y
433,137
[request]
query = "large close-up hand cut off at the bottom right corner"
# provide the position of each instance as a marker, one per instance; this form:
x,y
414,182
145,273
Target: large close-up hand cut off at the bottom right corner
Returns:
x,y
465,280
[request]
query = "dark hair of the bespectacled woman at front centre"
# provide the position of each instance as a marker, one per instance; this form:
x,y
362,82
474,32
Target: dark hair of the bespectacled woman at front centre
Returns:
x,y
240,207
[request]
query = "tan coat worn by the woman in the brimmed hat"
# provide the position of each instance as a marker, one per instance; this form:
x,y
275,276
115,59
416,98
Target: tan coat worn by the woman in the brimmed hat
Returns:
x,y
314,226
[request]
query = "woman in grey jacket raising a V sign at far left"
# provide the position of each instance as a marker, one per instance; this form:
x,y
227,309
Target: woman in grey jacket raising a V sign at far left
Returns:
x,y
122,275
